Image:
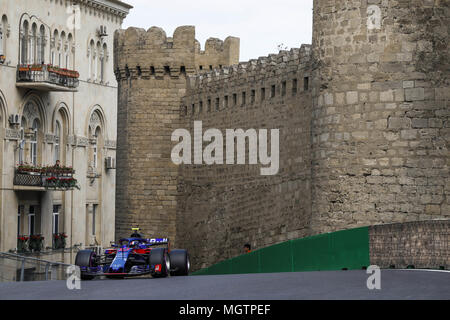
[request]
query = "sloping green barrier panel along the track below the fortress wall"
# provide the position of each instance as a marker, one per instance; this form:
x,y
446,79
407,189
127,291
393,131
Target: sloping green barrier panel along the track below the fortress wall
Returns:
x,y
348,249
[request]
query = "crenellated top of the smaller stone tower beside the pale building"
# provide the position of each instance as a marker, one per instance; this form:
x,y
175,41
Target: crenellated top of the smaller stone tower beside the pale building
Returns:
x,y
141,53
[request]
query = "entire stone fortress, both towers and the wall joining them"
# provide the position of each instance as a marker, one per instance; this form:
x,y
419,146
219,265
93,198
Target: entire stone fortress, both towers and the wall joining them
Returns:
x,y
364,137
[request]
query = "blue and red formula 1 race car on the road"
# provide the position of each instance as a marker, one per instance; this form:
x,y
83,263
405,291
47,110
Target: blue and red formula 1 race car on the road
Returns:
x,y
134,256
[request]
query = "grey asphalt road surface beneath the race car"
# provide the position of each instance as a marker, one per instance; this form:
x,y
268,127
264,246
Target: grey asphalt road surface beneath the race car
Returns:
x,y
395,284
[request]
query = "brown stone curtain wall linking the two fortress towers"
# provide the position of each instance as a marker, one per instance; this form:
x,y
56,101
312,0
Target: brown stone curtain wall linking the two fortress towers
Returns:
x,y
222,207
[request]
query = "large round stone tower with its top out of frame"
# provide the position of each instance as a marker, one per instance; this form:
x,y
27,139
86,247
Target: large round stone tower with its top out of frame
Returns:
x,y
380,127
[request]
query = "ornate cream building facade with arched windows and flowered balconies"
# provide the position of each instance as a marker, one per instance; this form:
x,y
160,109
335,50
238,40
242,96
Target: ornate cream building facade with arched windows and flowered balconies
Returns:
x,y
58,104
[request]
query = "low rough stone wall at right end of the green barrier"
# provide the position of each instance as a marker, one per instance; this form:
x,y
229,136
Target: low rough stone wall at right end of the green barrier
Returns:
x,y
424,244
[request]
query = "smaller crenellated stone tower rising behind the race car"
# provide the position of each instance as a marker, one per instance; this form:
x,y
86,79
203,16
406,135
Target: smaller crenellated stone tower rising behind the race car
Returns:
x,y
151,70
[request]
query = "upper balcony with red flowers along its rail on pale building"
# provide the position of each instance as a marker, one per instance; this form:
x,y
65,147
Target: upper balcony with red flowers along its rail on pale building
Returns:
x,y
46,78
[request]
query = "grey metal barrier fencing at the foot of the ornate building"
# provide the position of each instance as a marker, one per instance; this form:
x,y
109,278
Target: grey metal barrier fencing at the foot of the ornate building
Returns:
x,y
14,267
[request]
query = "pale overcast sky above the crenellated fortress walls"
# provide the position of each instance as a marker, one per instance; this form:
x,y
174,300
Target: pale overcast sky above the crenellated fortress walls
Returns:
x,y
262,25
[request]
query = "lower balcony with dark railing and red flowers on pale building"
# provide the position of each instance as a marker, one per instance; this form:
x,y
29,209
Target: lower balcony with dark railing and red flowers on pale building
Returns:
x,y
27,178
